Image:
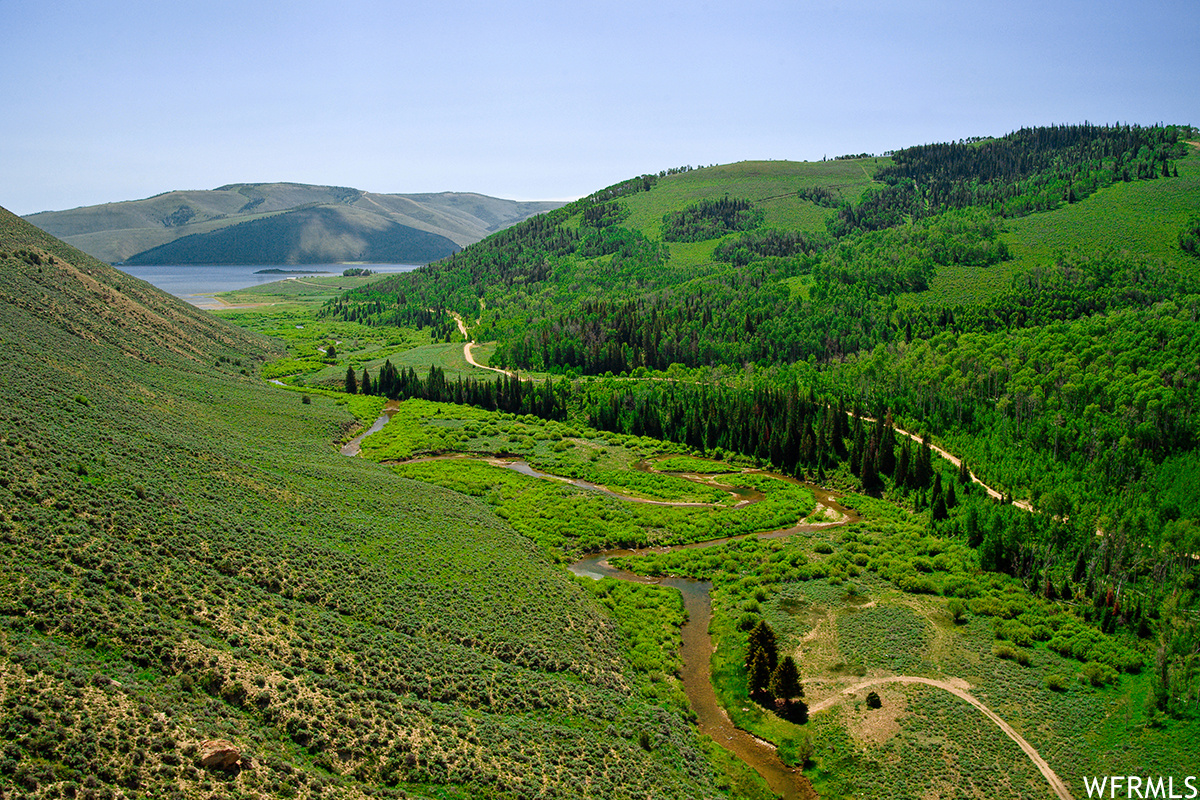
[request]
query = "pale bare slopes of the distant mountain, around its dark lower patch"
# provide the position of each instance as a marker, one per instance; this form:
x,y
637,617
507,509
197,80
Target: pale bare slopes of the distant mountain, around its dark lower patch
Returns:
x,y
117,232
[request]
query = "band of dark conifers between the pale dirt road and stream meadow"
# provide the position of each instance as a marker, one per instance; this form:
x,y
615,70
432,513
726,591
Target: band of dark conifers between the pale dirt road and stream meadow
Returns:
x,y
1126,582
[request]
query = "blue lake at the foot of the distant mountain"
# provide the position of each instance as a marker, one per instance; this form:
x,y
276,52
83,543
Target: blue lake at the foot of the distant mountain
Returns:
x,y
197,284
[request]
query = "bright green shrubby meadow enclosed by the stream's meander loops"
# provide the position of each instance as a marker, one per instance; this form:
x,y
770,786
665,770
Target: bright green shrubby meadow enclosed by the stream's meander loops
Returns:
x,y
563,520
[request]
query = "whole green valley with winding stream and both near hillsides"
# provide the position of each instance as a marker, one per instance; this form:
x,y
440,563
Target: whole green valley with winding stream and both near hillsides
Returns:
x,y
548,518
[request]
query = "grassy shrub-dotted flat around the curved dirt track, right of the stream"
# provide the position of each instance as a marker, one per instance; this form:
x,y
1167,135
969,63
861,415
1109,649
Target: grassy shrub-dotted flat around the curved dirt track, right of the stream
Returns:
x,y
832,598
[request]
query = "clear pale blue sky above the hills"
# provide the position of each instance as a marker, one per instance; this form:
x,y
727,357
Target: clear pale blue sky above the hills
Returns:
x,y
113,101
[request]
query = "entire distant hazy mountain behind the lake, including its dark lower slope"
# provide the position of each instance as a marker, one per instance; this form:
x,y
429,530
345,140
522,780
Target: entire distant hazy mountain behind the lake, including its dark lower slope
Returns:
x,y
285,224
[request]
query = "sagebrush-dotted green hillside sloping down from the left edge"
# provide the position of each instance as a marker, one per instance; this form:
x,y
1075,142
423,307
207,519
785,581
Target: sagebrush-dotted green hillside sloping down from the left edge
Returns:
x,y
187,558
